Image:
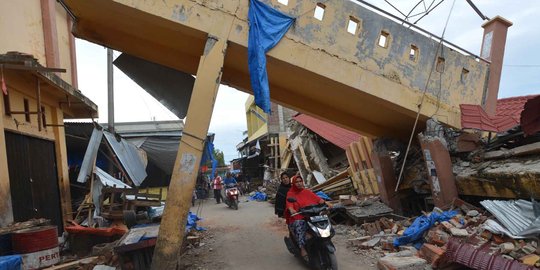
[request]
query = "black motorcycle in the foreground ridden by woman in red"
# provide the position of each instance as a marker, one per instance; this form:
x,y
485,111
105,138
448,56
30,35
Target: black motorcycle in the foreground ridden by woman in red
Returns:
x,y
321,251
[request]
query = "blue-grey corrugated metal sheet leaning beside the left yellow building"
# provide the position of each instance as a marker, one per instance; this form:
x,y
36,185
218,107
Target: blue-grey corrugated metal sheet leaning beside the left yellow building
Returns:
x,y
128,156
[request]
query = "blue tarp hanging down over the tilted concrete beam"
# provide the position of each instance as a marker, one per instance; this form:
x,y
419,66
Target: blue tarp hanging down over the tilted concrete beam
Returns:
x,y
266,28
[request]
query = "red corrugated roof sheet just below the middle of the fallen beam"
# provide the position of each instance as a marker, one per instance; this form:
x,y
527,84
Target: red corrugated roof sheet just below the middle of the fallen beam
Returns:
x,y
336,135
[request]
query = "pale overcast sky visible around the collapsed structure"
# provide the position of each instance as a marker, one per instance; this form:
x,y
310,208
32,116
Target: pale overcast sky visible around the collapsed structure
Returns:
x,y
520,75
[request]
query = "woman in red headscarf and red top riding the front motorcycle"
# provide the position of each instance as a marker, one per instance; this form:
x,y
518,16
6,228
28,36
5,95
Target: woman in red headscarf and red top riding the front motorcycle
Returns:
x,y
304,197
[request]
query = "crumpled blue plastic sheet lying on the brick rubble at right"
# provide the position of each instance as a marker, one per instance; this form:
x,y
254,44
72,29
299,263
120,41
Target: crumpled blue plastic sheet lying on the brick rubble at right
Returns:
x,y
414,234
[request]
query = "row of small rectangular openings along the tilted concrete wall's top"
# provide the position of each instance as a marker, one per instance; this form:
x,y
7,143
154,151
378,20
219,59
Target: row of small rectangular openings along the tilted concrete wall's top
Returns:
x,y
352,27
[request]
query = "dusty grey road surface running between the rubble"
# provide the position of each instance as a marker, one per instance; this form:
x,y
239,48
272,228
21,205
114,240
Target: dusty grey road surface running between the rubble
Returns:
x,y
251,238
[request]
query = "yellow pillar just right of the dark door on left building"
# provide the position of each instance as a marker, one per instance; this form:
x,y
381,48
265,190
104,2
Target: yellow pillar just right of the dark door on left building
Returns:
x,y
62,168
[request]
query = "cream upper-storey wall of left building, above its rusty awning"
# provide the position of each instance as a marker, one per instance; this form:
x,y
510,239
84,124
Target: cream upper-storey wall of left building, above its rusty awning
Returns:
x,y
22,31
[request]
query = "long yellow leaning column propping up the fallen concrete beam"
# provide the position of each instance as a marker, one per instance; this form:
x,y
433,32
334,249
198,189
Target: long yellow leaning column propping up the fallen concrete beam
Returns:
x,y
173,223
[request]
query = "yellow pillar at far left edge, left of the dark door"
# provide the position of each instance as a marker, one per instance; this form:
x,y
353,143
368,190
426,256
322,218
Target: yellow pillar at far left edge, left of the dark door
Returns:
x,y
6,212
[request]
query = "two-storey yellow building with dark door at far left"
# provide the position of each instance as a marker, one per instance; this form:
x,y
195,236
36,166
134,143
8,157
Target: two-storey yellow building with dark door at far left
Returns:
x,y
37,62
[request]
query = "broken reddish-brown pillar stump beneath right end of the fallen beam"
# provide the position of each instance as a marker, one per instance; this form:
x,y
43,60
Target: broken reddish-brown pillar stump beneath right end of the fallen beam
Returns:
x,y
439,167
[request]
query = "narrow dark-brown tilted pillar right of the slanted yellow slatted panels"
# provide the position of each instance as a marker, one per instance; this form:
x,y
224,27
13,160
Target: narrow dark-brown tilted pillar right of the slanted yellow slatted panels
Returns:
x,y
386,177
